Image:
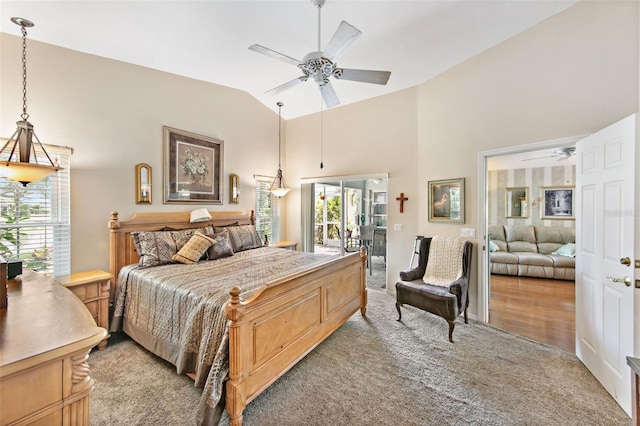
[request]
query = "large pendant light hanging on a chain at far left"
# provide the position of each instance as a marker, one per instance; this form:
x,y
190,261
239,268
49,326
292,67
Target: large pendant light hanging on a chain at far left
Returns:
x,y
22,169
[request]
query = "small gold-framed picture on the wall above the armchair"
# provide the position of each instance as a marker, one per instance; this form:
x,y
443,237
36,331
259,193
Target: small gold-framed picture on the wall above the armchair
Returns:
x,y
446,200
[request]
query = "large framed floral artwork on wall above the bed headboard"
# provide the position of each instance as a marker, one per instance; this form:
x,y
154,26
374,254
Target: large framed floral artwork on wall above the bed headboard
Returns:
x,y
192,167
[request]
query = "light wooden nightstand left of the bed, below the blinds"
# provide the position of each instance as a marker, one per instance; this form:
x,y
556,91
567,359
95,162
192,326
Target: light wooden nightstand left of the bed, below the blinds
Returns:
x,y
92,288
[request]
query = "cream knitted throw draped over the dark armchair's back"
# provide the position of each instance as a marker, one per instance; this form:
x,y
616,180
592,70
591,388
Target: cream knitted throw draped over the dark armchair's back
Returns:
x,y
445,261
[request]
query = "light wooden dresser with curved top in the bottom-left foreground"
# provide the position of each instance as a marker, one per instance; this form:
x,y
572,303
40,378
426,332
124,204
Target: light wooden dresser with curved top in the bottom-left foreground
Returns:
x,y
46,334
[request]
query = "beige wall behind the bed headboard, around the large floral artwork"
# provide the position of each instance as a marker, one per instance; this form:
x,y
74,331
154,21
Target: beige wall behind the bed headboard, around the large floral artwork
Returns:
x,y
111,113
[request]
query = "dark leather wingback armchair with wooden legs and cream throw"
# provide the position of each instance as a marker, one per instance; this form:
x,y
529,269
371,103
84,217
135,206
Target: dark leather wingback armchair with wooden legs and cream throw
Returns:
x,y
447,300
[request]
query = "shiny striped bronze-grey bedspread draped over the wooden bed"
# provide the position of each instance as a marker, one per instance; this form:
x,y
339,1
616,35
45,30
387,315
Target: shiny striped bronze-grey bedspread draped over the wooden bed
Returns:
x,y
178,311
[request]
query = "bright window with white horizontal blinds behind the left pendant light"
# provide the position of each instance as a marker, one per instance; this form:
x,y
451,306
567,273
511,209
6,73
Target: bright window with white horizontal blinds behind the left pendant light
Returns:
x,y
35,220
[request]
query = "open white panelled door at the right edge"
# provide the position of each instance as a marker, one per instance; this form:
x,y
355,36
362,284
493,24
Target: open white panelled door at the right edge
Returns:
x,y
605,191
